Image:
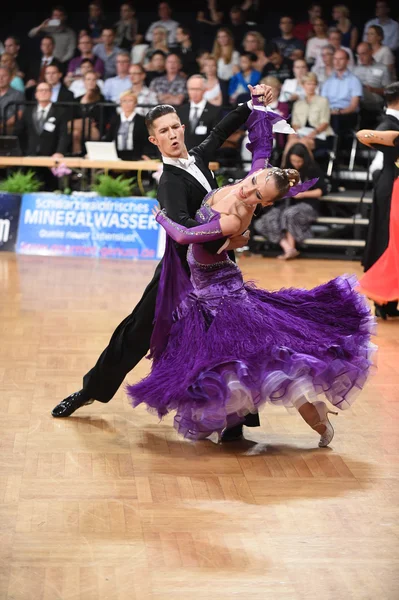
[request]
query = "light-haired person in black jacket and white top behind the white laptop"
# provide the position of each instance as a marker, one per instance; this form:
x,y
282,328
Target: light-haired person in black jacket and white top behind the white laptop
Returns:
x,y
127,129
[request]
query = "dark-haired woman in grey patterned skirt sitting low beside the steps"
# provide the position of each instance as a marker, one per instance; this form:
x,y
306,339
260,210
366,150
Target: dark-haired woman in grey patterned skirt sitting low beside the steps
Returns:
x,y
288,222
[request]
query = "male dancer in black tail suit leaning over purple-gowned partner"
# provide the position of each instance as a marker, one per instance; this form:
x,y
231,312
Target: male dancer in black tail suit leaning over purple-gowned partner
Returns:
x,y
184,183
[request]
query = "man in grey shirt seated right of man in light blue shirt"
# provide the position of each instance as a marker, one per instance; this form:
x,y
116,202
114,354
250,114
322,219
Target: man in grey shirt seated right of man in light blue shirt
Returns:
x,y
374,77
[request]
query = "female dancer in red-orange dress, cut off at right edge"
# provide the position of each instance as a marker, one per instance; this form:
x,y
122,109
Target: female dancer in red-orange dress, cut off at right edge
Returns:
x,y
381,281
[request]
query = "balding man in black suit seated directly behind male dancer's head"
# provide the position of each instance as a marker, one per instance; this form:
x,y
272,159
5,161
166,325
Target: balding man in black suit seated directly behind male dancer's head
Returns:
x,y
198,116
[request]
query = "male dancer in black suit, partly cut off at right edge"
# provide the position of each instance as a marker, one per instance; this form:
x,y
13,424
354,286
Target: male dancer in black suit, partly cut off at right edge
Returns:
x,y
378,230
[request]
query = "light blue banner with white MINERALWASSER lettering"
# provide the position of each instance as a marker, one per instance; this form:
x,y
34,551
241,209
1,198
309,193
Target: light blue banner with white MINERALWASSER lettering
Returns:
x,y
59,225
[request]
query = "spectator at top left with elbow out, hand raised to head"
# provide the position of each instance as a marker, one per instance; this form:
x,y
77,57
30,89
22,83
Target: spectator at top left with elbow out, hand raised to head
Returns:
x,y
64,37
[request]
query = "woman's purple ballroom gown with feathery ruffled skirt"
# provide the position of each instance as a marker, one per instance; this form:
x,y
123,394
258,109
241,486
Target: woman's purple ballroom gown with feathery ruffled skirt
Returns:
x,y
222,348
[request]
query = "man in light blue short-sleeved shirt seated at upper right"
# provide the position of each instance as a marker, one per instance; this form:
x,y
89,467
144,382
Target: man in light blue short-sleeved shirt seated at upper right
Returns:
x,y
344,91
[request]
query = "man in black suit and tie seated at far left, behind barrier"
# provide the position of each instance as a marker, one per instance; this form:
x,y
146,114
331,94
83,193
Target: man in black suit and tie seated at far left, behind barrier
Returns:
x,y
43,126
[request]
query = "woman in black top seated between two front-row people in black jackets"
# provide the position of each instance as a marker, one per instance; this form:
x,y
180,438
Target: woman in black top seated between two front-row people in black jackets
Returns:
x,y
87,116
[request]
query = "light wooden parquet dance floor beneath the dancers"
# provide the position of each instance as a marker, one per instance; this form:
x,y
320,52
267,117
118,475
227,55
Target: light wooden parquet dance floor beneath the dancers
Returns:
x,y
109,504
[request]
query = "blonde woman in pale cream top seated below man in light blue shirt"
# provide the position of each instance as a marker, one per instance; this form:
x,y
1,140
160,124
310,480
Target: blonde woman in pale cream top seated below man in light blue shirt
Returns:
x,y
310,119
